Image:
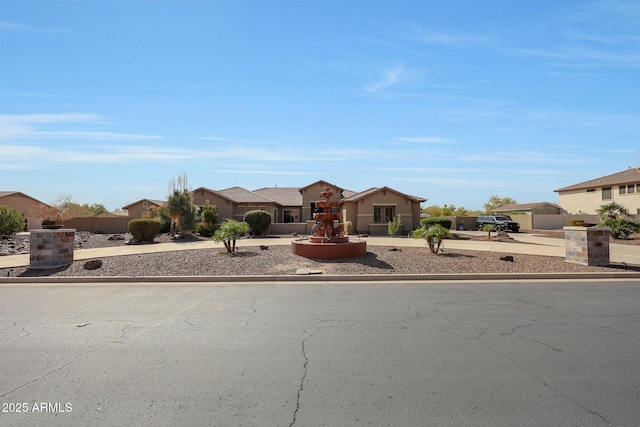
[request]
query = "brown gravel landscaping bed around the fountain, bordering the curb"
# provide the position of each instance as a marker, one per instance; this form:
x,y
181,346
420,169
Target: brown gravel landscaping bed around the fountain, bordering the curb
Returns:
x,y
278,260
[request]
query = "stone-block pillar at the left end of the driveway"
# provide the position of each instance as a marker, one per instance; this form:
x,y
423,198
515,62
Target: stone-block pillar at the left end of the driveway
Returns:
x,y
51,248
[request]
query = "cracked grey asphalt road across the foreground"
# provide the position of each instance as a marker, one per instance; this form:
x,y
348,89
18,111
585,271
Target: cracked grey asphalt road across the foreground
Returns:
x,y
392,354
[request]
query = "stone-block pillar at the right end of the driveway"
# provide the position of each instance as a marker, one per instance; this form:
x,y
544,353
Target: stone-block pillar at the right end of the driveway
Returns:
x,y
587,245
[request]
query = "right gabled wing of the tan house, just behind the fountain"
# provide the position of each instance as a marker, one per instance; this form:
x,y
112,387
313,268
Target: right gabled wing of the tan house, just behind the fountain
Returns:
x,y
369,211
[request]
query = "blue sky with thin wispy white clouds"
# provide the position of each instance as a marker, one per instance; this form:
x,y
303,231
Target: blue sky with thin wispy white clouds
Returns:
x,y
452,101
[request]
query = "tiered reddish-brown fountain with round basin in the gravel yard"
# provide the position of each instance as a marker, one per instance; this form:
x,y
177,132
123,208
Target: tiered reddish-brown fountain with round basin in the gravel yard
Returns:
x,y
328,240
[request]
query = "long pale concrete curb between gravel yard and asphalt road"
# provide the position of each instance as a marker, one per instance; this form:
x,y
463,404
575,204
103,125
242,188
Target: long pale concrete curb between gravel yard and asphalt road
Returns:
x,y
317,278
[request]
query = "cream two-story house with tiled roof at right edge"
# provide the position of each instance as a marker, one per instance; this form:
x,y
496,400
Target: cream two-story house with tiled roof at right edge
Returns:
x,y
586,197
